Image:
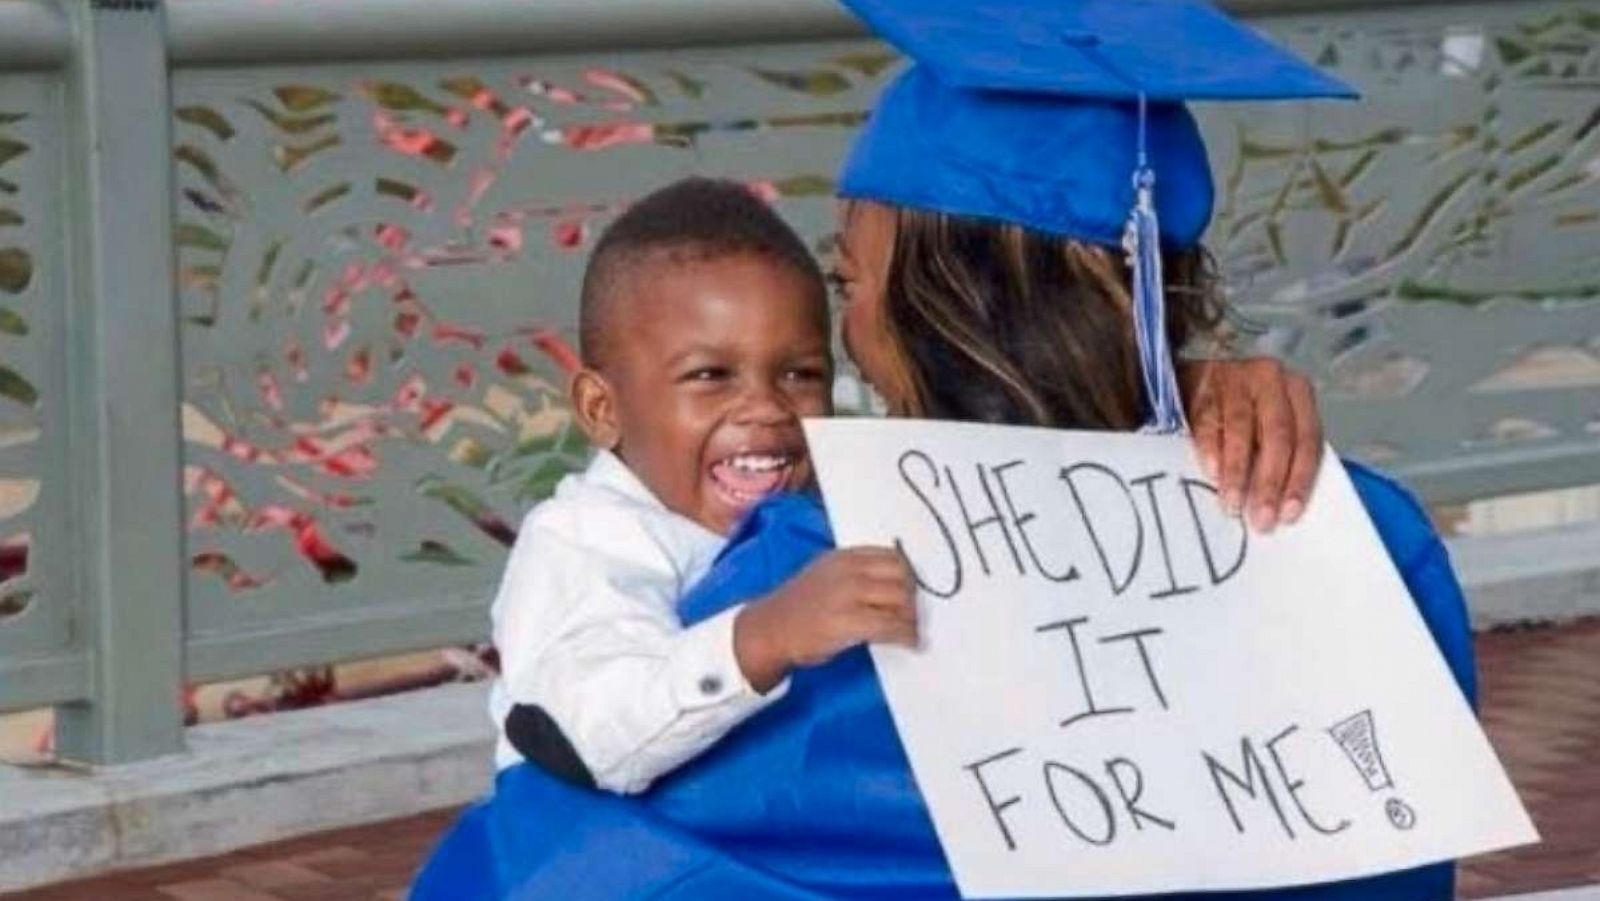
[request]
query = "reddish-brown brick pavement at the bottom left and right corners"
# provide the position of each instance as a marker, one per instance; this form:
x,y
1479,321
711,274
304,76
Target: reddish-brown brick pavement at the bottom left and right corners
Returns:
x,y
1542,705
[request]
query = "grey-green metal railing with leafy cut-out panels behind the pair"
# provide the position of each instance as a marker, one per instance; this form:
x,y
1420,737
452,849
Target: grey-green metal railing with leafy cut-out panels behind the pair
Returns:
x,y
286,290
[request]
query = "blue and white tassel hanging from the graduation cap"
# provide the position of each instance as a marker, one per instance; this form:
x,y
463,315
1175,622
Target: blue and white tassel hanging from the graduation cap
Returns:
x,y
1143,242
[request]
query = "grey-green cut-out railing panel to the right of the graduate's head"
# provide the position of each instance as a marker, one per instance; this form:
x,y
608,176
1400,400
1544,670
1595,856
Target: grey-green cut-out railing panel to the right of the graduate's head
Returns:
x,y
1431,250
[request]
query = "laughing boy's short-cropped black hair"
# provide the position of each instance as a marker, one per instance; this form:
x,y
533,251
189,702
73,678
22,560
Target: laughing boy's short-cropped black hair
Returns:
x,y
692,220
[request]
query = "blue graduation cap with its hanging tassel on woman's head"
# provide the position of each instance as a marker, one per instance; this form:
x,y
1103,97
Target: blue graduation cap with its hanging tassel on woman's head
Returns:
x,y
1068,118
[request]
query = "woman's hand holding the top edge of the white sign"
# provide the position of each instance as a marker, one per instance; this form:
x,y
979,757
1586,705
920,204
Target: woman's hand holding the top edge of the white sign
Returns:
x,y
1258,434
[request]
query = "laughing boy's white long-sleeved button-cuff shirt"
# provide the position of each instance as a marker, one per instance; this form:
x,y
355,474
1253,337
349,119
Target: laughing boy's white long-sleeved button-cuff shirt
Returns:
x,y
586,627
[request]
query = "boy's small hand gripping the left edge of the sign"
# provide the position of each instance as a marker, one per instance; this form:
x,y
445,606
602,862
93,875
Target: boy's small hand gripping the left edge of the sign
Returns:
x,y
842,599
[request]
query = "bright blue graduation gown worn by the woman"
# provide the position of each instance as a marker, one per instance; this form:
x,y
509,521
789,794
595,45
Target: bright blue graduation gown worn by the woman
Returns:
x,y
814,798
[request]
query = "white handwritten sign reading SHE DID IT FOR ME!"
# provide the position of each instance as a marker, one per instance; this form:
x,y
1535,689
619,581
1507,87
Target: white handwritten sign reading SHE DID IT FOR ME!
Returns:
x,y
1121,691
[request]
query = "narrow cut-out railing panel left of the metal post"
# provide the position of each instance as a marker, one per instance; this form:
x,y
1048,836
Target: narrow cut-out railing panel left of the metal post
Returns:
x,y
36,614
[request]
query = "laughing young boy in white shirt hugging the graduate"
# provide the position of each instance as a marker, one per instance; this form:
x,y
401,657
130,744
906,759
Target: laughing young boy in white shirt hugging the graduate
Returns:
x,y
705,337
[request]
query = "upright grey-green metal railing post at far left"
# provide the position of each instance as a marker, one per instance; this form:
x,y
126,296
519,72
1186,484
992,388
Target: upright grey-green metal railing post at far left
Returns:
x,y
122,409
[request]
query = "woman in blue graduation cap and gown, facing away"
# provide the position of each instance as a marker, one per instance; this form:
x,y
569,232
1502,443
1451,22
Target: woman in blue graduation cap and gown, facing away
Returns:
x,y
1022,246
